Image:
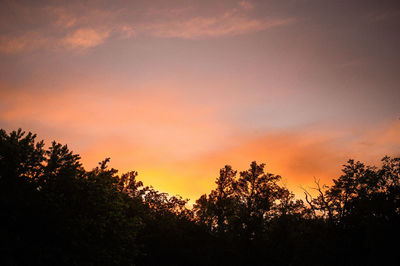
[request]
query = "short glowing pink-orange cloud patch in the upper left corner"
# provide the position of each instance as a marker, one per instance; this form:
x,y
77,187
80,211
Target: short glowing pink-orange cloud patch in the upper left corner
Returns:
x,y
55,27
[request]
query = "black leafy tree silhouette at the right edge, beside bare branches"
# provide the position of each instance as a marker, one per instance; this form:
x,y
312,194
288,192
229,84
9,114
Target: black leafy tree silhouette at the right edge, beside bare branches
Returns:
x,y
362,208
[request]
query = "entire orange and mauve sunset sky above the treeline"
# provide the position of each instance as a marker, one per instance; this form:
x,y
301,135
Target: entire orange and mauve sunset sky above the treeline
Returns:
x,y
177,89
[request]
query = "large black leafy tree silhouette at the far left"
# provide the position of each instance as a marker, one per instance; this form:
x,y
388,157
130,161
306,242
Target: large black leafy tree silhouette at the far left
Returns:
x,y
54,212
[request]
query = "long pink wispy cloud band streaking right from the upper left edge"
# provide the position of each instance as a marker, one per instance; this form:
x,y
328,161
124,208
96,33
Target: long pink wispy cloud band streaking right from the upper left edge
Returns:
x,y
80,27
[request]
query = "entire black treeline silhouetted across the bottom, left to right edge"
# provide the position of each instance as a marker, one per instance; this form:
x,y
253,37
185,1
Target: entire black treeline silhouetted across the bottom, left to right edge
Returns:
x,y
54,212
